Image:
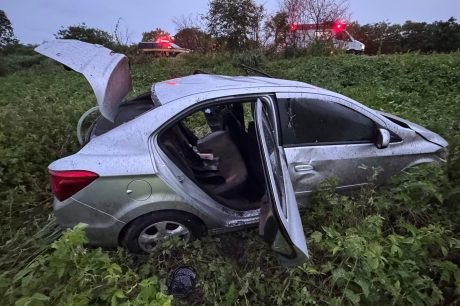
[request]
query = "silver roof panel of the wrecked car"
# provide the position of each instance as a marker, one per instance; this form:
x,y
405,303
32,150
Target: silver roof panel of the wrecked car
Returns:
x,y
171,90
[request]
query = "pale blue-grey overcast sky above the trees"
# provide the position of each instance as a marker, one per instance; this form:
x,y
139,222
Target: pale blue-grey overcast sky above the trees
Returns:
x,y
35,21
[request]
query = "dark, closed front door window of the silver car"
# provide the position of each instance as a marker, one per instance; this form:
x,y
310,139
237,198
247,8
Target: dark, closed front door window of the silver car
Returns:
x,y
317,121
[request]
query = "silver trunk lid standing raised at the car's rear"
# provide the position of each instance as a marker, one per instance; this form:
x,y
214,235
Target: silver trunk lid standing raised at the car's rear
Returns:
x,y
106,71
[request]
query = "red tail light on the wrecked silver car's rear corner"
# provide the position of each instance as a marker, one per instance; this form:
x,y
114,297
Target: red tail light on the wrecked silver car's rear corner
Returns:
x,y
64,184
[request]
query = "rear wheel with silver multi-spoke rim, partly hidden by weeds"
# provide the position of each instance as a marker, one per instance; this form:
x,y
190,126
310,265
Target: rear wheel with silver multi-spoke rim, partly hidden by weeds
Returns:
x,y
146,233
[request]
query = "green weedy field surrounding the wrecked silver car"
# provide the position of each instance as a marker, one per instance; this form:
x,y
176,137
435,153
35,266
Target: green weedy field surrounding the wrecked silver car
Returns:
x,y
396,244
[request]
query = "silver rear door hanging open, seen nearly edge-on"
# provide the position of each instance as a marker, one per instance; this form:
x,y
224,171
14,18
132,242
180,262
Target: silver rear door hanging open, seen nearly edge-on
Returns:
x,y
280,224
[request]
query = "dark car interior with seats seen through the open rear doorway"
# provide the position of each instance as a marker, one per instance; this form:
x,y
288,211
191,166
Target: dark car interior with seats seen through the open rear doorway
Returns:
x,y
217,148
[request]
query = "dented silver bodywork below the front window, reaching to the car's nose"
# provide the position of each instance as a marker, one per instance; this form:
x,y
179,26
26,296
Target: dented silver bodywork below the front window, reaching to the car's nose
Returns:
x,y
357,164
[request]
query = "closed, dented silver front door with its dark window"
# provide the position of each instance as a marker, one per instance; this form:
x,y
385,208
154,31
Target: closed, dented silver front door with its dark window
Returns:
x,y
327,137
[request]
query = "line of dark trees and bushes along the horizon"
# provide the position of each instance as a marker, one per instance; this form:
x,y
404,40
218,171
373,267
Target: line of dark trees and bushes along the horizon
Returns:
x,y
238,25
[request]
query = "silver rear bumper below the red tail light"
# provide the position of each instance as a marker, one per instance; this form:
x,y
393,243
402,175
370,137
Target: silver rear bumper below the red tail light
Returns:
x,y
102,229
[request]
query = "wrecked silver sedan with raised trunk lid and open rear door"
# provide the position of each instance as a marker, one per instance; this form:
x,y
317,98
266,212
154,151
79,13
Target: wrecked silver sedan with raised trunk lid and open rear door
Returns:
x,y
206,154
